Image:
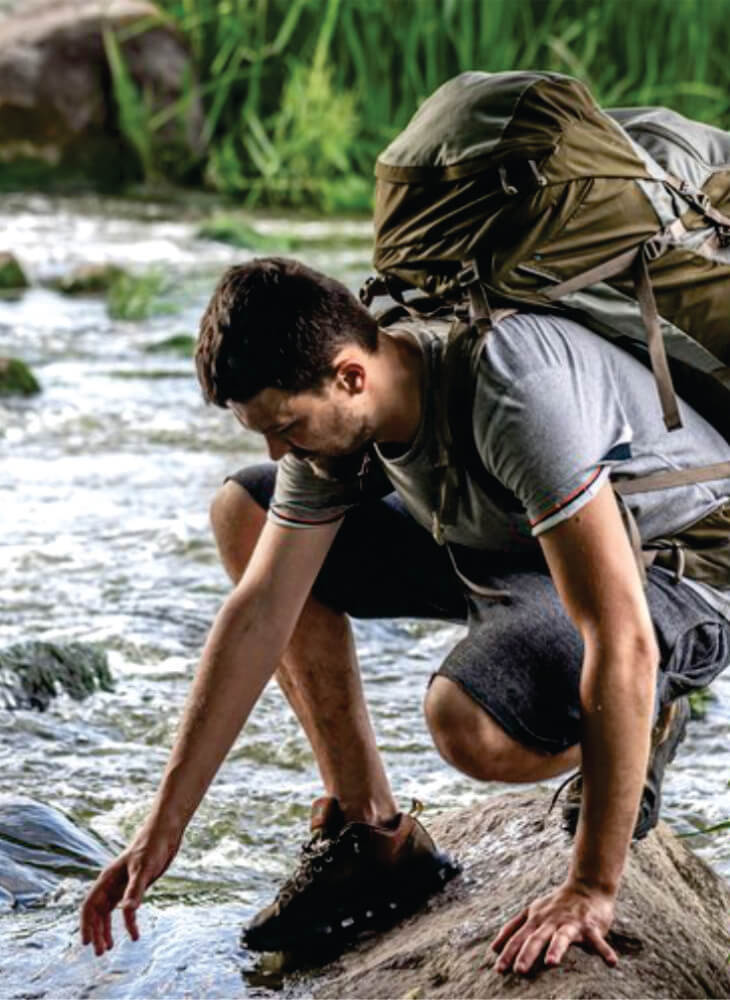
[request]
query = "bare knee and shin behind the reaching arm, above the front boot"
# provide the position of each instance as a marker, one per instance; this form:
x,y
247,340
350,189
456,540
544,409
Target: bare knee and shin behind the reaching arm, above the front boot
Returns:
x,y
319,675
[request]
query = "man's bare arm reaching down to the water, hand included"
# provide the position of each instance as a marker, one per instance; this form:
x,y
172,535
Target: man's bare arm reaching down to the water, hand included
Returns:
x,y
243,648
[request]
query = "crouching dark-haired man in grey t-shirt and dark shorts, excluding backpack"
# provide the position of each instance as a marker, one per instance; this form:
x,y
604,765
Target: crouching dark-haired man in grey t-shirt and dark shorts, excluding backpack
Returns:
x,y
568,661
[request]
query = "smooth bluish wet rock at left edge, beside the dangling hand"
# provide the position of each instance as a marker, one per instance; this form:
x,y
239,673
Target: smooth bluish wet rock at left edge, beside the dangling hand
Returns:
x,y
40,845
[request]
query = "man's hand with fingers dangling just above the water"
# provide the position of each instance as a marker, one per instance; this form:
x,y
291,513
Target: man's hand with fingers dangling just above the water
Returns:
x,y
127,878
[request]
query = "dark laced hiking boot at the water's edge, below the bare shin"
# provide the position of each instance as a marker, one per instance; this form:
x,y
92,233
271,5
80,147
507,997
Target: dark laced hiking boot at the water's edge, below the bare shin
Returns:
x,y
351,877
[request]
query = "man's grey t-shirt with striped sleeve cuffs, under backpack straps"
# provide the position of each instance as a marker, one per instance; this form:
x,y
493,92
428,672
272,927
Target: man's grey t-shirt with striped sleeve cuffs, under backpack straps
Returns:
x,y
557,410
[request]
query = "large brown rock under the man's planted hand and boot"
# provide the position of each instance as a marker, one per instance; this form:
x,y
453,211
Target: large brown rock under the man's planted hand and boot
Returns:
x,y
671,931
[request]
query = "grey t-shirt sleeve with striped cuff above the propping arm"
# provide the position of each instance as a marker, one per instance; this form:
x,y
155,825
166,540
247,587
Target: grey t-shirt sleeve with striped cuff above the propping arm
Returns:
x,y
551,437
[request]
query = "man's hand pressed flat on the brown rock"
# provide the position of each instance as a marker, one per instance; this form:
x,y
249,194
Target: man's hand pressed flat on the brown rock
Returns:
x,y
573,914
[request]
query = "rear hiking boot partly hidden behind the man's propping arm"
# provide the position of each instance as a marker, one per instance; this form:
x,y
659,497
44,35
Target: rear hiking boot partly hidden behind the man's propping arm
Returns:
x,y
668,732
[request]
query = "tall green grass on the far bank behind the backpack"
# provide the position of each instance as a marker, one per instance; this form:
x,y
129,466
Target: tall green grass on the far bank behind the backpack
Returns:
x,y
300,95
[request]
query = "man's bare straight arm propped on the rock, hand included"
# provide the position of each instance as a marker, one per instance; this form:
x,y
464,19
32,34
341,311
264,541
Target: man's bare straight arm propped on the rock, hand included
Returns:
x,y
595,573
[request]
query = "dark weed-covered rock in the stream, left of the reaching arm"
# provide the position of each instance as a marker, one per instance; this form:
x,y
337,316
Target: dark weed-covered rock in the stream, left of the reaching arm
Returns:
x,y
31,673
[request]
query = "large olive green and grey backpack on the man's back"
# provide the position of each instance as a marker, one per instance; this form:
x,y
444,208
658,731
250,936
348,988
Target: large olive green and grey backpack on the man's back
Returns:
x,y
516,190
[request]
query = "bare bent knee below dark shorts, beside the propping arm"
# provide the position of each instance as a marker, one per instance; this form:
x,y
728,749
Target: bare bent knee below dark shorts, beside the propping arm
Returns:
x,y
469,738
